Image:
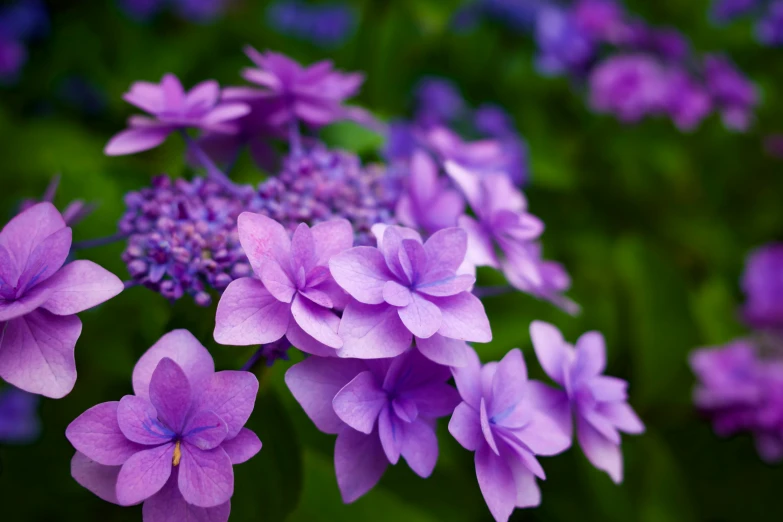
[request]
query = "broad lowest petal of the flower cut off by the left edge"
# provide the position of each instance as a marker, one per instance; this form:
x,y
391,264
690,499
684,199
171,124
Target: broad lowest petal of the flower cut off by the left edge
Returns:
x,y
37,353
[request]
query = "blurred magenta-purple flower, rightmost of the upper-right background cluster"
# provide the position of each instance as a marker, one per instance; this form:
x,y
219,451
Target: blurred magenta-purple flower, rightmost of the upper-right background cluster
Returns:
x,y
731,92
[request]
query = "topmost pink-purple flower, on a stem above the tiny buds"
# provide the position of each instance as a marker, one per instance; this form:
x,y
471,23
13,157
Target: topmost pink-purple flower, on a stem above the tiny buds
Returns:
x,y
311,94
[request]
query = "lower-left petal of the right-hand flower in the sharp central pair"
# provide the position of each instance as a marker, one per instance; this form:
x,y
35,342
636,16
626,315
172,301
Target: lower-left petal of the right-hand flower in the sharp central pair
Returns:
x,y
372,332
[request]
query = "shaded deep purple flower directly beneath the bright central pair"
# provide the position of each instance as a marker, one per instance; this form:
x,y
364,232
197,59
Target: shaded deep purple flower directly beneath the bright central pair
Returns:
x,y
381,410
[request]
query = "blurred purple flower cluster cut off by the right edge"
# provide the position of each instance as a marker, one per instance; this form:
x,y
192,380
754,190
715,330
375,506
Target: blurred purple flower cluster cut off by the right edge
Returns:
x,y
740,385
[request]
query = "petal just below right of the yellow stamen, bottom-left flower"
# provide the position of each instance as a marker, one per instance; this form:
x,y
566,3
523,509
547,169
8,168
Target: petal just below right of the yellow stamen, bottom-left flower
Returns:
x,y
206,478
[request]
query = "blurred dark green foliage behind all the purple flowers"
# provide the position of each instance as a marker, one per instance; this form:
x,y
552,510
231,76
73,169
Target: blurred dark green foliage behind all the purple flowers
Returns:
x,y
652,224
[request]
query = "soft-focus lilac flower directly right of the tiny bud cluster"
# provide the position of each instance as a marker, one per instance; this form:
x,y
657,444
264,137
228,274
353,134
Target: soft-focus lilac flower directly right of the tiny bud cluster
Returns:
x,y
429,203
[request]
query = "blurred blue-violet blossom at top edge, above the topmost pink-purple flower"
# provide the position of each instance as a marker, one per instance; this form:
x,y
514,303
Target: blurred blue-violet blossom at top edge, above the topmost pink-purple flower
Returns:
x,y
327,25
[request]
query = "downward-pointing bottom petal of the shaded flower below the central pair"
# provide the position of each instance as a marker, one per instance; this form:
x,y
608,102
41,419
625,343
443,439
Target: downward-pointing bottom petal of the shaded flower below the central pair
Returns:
x,y
359,462
